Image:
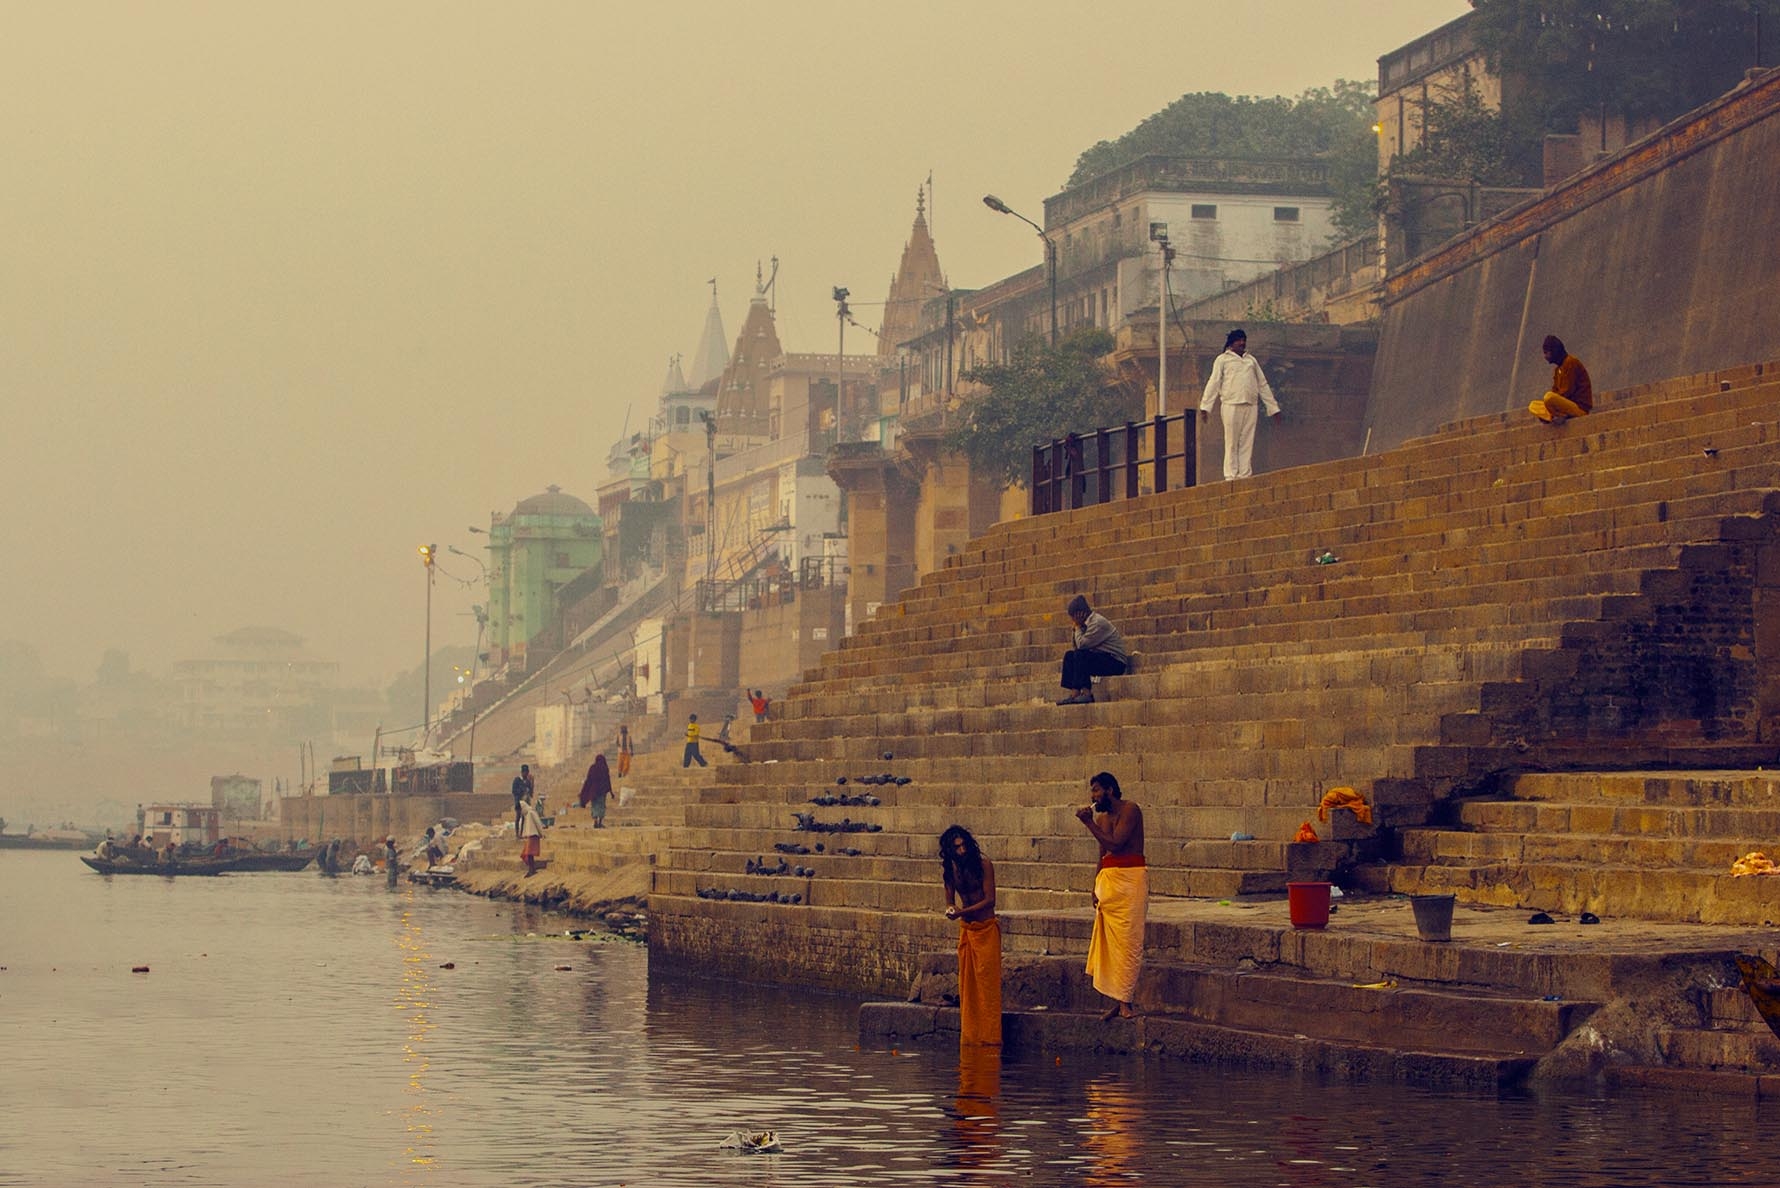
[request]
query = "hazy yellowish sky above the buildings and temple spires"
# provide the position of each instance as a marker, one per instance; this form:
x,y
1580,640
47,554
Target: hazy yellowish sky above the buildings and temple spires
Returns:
x,y
289,289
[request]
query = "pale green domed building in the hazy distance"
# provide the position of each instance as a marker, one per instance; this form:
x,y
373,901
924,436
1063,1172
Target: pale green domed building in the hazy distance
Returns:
x,y
544,557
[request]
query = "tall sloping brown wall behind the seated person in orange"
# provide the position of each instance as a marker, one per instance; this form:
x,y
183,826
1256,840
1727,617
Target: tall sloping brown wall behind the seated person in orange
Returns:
x,y
1656,263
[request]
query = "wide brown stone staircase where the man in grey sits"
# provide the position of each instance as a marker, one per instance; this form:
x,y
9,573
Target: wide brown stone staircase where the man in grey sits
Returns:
x,y
1507,599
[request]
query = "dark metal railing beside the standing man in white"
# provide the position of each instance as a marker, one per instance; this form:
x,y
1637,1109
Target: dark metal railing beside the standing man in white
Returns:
x,y
1065,476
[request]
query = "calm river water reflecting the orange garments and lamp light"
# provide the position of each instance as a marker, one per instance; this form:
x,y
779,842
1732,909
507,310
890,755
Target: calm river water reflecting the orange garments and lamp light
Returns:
x,y
303,1030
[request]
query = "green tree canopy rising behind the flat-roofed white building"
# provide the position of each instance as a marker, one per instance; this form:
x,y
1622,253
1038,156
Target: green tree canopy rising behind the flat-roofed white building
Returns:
x,y
1329,124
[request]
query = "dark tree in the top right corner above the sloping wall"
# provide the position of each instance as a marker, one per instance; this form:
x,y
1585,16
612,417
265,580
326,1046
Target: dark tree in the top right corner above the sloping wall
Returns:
x,y
1644,60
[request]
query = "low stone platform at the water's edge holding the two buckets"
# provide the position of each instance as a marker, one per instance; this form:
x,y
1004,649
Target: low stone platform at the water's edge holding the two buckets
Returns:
x,y
1500,1005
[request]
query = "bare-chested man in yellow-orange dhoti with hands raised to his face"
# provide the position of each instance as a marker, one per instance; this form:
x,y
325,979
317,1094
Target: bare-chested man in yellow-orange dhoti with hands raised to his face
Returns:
x,y
1122,895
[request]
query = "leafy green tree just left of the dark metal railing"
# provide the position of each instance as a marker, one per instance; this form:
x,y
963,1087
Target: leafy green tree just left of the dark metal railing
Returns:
x,y
1042,393
